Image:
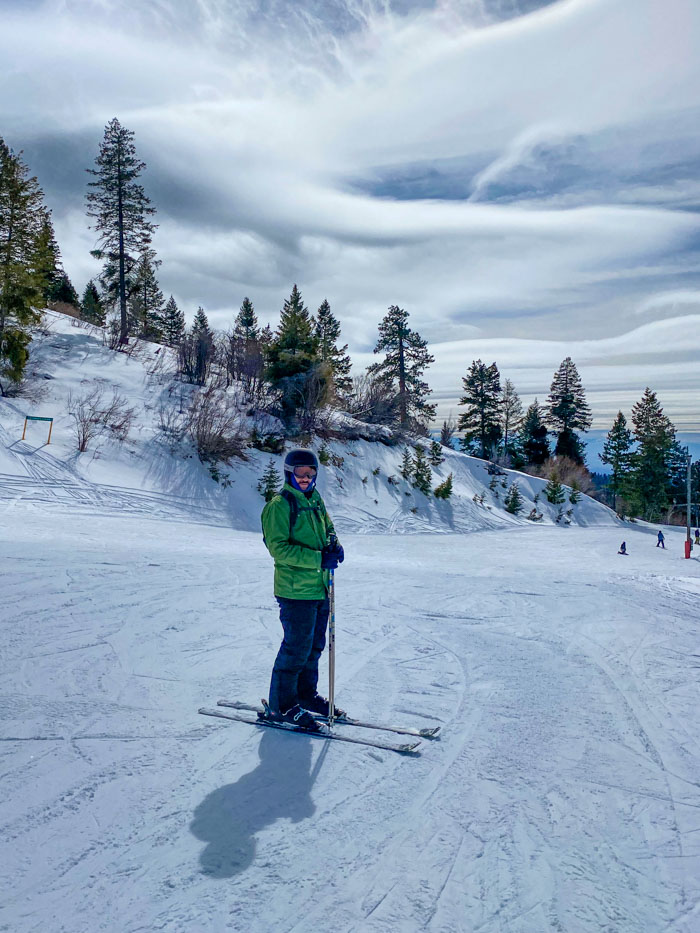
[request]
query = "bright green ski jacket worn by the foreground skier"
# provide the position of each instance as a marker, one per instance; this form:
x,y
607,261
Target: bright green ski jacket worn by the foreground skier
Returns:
x,y
298,573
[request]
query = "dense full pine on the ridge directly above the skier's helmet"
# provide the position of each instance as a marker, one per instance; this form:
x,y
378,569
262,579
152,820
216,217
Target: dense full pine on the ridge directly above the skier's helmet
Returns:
x,y
301,380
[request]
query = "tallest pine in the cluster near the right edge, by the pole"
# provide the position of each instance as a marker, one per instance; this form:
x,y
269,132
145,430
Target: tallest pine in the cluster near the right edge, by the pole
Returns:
x,y
651,462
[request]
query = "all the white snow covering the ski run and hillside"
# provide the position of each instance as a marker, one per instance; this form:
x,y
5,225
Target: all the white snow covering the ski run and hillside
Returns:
x,y
562,795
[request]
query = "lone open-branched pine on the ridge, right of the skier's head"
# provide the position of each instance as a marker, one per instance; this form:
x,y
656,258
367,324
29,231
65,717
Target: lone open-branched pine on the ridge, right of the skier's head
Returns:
x,y
402,369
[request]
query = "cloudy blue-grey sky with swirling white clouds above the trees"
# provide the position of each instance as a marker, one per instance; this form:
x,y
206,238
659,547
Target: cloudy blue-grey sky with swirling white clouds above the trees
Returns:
x,y
522,176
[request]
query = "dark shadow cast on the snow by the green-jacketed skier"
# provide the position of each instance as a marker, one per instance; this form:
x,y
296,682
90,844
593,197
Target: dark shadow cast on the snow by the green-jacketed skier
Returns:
x,y
229,818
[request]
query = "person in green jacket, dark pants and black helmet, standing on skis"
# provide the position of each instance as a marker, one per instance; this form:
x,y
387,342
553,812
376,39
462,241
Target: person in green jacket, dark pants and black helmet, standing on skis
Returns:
x,y
300,536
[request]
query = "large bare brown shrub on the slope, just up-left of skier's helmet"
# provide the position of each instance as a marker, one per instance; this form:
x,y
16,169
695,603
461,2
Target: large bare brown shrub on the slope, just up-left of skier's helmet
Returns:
x,y
215,426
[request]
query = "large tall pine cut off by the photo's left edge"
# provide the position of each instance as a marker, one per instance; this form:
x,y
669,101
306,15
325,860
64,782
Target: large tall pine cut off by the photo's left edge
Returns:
x,y
21,283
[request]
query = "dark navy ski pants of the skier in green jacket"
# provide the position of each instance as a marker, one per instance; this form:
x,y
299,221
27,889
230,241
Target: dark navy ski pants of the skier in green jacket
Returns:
x,y
295,673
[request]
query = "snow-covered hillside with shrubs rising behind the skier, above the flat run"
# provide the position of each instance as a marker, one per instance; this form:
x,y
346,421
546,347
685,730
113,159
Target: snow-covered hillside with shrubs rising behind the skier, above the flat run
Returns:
x,y
142,475
